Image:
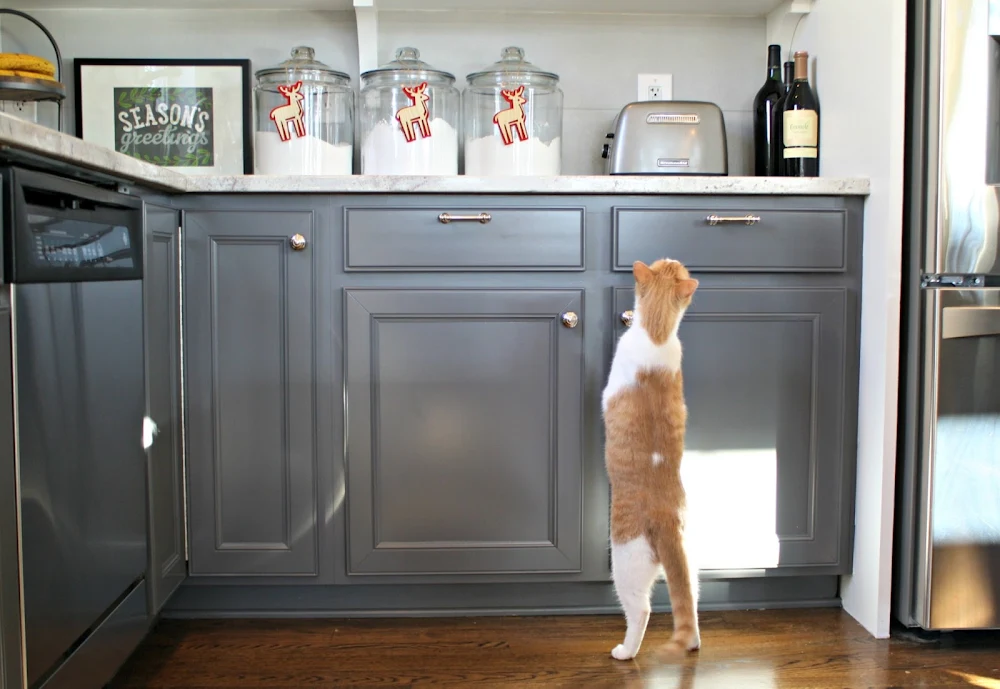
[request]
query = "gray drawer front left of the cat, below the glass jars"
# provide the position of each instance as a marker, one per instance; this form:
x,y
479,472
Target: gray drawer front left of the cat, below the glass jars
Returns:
x,y
472,238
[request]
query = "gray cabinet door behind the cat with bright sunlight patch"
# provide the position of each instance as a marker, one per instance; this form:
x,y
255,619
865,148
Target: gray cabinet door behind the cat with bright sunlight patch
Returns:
x,y
767,461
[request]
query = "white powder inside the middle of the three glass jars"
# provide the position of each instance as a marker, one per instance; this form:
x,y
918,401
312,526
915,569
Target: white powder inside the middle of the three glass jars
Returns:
x,y
385,151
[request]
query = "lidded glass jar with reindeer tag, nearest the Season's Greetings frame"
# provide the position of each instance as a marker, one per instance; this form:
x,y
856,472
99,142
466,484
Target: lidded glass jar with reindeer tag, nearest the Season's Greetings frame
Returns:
x,y
305,118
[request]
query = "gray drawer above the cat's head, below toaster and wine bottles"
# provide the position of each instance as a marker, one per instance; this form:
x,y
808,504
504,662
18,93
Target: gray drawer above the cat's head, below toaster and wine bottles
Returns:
x,y
777,241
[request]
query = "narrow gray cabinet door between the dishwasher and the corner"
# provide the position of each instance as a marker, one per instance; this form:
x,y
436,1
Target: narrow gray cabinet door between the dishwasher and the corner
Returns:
x,y
165,471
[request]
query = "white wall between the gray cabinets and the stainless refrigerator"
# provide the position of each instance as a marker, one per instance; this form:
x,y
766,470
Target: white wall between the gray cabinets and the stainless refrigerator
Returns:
x,y
862,120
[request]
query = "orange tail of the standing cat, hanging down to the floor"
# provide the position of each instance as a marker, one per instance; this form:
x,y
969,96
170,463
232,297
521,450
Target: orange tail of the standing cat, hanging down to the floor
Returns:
x,y
682,581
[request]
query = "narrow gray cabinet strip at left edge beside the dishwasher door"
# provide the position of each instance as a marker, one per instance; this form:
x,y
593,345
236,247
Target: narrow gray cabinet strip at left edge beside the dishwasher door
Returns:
x,y
11,668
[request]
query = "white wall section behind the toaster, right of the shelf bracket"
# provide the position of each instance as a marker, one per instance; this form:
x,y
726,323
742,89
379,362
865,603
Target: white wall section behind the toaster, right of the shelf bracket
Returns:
x,y
598,58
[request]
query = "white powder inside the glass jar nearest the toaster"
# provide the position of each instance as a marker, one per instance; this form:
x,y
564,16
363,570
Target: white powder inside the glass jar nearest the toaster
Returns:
x,y
487,156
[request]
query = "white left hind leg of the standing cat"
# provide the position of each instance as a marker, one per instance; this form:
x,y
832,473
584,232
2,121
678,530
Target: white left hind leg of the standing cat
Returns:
x,y
634,568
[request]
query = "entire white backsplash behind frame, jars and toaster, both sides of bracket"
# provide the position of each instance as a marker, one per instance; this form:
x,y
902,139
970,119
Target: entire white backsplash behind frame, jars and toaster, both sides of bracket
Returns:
x,y
597,57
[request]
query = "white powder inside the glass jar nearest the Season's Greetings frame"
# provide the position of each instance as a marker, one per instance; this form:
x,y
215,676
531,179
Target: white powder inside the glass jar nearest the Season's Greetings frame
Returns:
x,y
307,155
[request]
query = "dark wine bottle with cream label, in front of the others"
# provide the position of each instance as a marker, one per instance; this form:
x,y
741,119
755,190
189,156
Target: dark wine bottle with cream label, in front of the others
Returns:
x,y
800,124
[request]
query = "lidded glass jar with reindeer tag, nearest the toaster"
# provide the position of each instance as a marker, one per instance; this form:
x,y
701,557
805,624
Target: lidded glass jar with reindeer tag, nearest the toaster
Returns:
x,y
512,117
